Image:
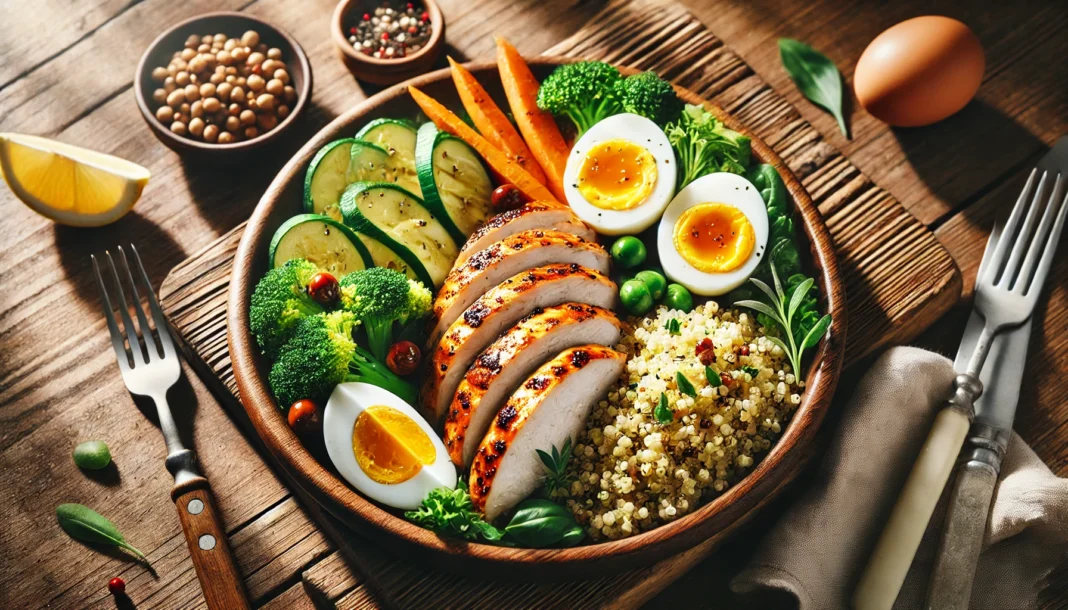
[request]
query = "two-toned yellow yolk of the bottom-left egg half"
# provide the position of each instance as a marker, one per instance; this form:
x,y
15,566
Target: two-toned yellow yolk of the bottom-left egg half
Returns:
x,y
390,447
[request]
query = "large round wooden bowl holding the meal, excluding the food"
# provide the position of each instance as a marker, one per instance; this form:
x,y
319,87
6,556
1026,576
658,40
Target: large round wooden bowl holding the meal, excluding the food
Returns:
x,y
715,520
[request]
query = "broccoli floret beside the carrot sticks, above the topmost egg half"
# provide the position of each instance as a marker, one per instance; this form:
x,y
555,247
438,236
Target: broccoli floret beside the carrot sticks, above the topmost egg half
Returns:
x,y
585,92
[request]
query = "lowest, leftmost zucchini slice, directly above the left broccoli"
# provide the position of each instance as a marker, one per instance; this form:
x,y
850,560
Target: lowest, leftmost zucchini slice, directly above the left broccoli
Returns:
x,y
321,240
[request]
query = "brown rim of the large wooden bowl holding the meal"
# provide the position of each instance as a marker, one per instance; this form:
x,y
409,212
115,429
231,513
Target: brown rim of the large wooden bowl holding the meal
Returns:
x,y
796,444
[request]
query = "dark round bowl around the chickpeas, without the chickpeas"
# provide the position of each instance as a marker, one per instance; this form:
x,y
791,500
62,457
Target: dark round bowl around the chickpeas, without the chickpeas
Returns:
x,y
231,24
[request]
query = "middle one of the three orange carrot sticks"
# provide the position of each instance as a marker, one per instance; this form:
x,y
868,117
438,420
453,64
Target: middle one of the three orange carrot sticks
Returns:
x,y
492,122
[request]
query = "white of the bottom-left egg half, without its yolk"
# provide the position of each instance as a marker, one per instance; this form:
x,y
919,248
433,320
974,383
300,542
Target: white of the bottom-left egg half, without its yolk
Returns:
x,y
345,405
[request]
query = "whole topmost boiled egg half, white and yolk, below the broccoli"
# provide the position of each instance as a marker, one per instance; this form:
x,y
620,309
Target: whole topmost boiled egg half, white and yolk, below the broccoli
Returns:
x,y
621,175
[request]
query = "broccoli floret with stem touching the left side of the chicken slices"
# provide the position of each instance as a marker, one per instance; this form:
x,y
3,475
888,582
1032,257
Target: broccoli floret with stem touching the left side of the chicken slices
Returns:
x,y
380,298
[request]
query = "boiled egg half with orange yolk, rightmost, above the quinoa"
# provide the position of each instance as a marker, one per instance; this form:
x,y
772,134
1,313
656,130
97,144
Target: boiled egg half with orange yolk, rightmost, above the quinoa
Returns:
x,y
714,234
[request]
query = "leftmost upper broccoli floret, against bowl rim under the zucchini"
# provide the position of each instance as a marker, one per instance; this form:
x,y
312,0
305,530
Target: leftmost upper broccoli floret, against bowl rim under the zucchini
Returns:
x,y
279,302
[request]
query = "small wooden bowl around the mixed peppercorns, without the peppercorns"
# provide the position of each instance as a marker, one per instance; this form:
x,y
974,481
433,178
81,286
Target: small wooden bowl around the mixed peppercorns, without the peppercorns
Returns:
x,y
385,72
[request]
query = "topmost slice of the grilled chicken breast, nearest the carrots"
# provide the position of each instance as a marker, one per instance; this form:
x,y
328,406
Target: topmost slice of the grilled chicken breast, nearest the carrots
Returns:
x,y
548,215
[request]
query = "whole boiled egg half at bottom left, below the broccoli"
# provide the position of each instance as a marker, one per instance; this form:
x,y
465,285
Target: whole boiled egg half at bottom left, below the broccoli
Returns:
x,y
384,448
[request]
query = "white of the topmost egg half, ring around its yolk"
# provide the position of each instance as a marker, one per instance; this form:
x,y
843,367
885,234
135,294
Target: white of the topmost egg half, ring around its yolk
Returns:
x,y
638,131
